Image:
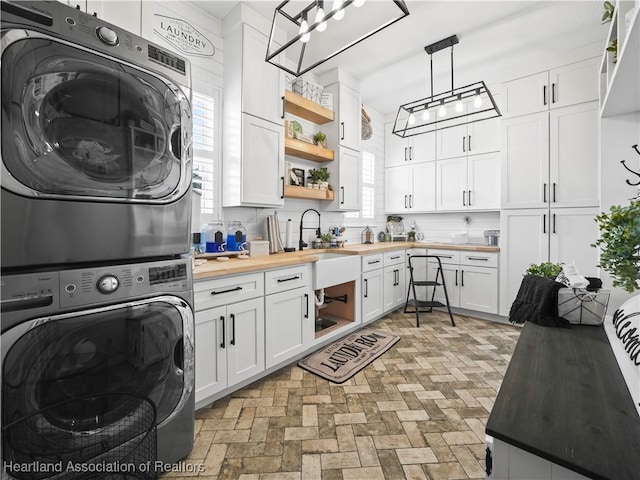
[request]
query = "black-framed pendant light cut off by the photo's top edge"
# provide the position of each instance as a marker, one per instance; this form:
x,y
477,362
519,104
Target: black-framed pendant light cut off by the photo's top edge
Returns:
x,y
303,38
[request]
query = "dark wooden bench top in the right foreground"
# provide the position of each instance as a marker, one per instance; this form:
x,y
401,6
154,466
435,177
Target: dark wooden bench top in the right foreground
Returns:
x,y
564,399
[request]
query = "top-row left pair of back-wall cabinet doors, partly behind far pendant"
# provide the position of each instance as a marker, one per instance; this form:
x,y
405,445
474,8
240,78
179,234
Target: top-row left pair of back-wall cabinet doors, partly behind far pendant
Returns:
x,y
403,151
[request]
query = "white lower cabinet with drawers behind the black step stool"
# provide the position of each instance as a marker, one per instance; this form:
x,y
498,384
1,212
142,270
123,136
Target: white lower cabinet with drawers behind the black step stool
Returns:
x,y
471,279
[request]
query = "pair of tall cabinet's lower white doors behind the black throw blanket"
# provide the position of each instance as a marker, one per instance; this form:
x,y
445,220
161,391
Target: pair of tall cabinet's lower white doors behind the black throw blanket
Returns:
x,y
559,235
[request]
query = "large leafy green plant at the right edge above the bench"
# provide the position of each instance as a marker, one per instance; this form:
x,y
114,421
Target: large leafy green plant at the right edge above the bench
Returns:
x,y
619,244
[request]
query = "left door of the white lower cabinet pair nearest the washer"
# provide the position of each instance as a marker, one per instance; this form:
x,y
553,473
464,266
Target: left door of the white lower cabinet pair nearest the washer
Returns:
x,y
210,352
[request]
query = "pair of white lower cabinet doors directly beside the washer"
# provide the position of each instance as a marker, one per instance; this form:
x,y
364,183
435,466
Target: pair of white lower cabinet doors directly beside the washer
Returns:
x,y
229,345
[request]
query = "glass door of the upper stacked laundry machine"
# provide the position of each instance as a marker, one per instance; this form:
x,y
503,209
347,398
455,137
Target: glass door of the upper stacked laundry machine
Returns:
x,y
78,124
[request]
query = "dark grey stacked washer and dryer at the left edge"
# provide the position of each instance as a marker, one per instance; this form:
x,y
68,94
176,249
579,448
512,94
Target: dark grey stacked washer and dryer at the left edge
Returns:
x,y
95,209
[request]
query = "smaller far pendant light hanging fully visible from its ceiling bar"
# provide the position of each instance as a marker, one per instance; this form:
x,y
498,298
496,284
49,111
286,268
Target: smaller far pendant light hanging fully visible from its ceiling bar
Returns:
x,y
458,106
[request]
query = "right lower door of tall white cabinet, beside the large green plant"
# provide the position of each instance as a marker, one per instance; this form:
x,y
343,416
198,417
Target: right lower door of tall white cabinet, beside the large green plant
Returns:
x,y
572,231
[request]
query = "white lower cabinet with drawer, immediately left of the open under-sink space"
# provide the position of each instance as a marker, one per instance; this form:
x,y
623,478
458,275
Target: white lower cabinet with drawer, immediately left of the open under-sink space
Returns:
x,y
289,314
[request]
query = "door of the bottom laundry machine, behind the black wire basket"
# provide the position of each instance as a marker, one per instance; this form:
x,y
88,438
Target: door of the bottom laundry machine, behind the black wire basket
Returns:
x,y
143,348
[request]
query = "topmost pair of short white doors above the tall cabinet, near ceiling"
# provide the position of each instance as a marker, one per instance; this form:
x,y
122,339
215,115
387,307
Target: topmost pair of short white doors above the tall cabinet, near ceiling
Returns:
x,y
568,85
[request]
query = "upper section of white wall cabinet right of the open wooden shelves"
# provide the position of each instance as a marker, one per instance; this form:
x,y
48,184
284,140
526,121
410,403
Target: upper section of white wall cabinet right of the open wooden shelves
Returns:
x,y
345,130
